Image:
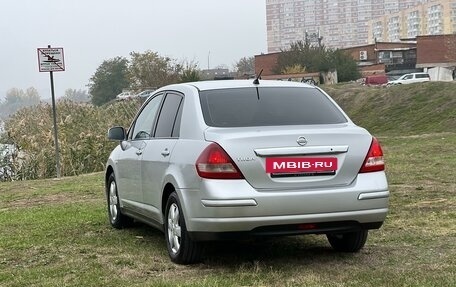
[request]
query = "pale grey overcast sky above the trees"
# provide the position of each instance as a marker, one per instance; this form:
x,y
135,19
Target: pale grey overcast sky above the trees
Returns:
x,y
91,31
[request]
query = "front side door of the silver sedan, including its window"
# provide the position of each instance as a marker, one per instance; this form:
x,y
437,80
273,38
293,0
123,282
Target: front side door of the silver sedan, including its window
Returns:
x,y
129,165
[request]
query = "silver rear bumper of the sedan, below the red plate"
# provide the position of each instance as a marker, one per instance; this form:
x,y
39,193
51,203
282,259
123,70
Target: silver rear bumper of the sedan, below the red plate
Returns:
x,y
235,206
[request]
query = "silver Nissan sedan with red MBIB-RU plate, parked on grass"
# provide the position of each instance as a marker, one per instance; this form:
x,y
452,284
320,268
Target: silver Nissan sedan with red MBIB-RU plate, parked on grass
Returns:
x,y
236,159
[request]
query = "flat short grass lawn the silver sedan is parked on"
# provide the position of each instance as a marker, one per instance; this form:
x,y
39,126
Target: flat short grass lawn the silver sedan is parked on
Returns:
x,y
56,233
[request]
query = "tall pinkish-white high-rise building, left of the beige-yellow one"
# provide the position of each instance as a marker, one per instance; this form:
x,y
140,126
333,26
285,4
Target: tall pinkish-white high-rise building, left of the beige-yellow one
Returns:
x,y
334,23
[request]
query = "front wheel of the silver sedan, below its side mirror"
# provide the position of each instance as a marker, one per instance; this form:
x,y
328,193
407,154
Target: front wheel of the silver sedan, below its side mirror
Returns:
x,y
116,217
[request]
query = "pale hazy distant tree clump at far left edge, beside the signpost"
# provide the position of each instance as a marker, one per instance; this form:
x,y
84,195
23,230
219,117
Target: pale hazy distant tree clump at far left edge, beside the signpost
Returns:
x,y
17,99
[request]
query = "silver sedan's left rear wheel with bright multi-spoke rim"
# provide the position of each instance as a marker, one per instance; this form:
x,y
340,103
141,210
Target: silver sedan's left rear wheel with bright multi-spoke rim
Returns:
x,y
181,249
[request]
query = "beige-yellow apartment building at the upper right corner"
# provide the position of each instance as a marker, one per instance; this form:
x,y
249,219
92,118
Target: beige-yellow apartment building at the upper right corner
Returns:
x,y
435,17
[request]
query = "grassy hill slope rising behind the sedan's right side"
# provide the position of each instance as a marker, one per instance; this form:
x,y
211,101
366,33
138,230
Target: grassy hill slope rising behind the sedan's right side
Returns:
x,y
400,110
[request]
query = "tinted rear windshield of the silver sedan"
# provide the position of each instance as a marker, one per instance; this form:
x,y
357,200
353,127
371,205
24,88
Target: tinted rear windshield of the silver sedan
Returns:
x,y
272,106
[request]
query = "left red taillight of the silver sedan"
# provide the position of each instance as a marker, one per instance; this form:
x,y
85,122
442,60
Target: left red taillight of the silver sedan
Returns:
x,y
215,163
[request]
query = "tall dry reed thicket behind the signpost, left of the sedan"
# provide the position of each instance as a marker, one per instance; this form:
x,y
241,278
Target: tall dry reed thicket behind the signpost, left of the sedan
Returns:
x,y
82,131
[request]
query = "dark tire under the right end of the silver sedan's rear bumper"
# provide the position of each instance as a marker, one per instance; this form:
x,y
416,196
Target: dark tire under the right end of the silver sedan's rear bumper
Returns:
x,y
348,242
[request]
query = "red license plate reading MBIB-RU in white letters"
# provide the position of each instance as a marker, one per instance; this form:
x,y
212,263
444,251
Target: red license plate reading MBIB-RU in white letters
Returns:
x,y
299,164
